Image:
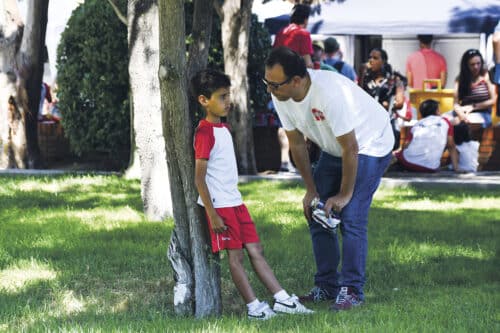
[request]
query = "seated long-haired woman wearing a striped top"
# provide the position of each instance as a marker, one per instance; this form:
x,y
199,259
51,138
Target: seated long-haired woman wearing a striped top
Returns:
x,y
474,94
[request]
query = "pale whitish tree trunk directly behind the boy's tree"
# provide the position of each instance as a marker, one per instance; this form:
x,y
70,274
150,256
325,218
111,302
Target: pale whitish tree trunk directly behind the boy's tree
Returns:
x,y
143,40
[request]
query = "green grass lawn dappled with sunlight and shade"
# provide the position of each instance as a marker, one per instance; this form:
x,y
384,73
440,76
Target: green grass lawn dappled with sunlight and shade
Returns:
x,y
77,255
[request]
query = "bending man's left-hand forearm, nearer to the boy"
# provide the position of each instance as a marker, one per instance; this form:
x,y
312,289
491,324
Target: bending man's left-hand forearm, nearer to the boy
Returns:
x,y
301,159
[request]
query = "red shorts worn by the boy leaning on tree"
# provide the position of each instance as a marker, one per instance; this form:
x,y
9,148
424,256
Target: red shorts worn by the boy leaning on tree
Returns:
x,y
240,229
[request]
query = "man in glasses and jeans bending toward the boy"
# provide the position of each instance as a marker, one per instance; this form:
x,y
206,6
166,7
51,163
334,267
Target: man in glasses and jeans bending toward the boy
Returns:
x,y
355,136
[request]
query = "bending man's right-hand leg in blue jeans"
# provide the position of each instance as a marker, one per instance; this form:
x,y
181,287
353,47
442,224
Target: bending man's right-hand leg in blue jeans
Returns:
x,y
355,222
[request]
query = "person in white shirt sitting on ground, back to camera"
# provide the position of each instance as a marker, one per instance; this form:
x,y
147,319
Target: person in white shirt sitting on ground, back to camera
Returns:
x,y
427,141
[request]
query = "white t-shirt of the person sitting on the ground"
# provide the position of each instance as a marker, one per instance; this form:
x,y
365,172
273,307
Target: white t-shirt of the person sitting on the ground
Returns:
x,y
428,141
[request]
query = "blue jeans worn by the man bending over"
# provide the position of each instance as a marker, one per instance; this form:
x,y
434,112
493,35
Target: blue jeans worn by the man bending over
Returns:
x,y
354,216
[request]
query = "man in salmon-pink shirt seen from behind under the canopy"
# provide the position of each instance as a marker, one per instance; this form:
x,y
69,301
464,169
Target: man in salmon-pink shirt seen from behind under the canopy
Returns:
x,y
425,64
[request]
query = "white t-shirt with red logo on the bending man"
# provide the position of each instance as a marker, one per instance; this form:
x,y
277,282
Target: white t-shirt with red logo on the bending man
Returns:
x,y
334,106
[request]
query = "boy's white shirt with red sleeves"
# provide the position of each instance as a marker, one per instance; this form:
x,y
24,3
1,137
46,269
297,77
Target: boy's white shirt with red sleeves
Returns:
x,y
214,143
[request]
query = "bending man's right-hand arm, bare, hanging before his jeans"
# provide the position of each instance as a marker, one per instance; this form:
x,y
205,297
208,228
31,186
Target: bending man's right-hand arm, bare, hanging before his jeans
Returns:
x,y
349,146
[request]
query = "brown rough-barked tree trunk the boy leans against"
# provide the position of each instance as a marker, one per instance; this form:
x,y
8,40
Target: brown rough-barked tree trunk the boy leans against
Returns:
x,y
196,271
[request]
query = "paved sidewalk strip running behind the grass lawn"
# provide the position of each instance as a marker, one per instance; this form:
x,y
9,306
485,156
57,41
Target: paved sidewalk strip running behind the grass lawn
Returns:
x,y
489,180
